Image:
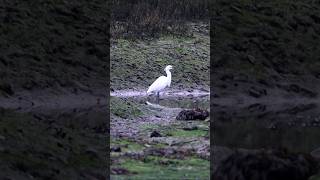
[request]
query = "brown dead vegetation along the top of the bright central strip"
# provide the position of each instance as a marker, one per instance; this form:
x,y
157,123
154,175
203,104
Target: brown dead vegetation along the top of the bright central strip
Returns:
x,y
150,18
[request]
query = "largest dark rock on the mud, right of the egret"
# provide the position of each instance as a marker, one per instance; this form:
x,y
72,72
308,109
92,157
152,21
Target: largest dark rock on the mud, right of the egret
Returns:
x,y
194,114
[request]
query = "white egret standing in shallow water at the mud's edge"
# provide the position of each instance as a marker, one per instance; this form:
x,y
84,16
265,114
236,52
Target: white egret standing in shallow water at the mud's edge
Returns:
x,y
161,83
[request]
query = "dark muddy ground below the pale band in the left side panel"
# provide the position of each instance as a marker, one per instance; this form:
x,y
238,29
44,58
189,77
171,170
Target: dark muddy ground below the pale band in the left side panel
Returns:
x,y
53,143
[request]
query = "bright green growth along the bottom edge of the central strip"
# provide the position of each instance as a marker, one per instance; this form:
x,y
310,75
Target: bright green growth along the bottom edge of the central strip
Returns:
x,y
163,168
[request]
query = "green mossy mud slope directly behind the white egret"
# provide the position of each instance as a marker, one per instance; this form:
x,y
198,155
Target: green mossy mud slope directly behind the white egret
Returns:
x,y
138,63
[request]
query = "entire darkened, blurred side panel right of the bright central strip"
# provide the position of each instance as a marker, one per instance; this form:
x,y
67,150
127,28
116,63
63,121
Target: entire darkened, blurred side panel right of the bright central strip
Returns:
x,y
265,82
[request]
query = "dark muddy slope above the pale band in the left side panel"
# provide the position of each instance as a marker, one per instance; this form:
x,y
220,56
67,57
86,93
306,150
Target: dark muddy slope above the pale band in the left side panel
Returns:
x,y
57,46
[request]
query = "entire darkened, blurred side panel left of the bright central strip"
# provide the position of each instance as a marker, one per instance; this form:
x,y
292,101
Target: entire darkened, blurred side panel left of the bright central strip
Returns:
x,y
53,69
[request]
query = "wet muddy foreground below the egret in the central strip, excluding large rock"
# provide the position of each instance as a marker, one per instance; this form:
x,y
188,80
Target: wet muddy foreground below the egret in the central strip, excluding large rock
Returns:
x,y
145,135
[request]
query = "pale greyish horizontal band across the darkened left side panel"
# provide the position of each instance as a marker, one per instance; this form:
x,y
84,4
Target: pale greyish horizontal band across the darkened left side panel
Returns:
x,y
43,100
